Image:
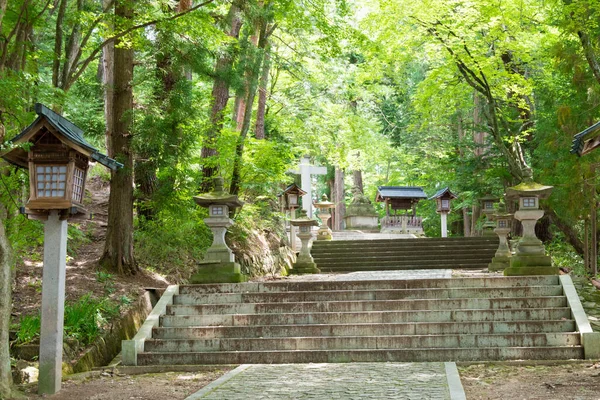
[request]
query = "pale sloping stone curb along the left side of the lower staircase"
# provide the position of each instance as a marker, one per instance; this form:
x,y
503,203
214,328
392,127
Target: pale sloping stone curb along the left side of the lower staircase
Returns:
x,y
131,348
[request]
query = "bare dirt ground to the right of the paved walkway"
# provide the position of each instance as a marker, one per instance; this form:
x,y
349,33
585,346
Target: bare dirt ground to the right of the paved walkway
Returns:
x,y
576,381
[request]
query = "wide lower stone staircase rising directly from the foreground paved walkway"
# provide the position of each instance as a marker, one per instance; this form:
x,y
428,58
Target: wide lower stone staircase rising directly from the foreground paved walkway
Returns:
x,y
457,319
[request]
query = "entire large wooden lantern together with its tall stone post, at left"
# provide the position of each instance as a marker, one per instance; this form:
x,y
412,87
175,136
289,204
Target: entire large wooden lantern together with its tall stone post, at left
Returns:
x,y
57,157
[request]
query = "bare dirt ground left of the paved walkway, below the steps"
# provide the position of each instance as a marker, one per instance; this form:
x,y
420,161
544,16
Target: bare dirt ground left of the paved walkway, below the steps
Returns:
x,y
167,386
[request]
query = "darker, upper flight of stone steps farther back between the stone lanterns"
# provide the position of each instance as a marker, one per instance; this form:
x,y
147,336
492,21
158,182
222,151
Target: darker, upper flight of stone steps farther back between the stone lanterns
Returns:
x,y
402,254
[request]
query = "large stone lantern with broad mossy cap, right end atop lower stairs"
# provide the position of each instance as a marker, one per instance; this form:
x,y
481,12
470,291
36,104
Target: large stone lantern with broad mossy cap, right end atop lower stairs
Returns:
x,y
530,255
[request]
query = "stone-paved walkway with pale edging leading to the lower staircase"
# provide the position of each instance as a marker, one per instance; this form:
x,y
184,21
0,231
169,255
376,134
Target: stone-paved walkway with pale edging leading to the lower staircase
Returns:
x,y
407,381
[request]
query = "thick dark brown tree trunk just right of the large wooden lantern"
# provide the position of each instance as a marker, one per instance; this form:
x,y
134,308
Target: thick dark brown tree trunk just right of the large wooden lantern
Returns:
x,y
118,249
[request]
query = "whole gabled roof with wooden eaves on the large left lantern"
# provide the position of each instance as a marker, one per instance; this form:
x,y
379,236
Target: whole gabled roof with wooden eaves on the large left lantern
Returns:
x,y
64,130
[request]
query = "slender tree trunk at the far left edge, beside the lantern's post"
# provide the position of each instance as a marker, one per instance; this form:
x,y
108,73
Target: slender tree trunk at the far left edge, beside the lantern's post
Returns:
x,y
5,308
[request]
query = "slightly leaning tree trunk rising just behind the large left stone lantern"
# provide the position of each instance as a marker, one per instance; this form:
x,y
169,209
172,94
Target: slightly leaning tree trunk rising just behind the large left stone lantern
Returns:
x,y
220,97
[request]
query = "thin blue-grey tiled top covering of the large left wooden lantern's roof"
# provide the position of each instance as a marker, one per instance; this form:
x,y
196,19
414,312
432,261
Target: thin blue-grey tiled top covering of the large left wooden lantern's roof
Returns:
x,y
70,131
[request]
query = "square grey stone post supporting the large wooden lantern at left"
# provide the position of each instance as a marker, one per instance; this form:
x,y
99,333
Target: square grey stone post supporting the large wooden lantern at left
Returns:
x,y
53,304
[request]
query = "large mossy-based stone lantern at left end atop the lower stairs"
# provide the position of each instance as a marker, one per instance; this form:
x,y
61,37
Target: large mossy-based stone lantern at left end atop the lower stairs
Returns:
x,y
218,265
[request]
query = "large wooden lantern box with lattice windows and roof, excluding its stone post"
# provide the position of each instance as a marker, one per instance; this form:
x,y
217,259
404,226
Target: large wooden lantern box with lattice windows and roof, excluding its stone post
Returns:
x,y
57,156
